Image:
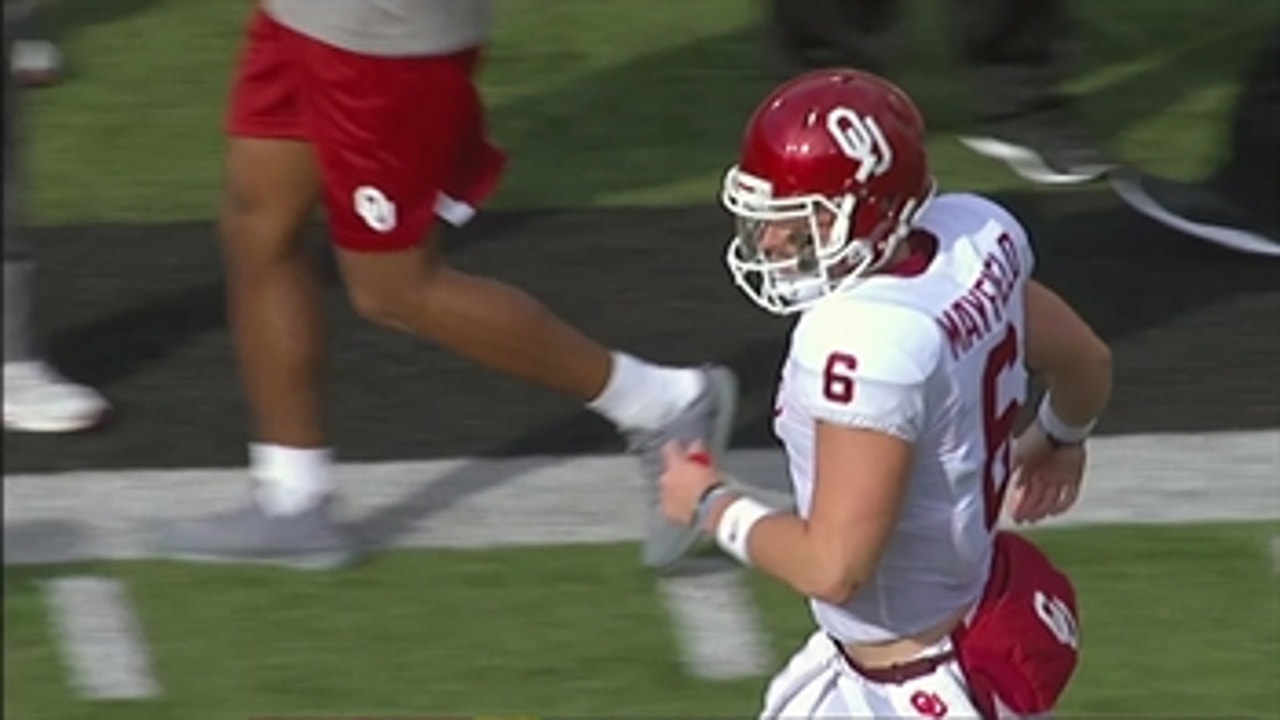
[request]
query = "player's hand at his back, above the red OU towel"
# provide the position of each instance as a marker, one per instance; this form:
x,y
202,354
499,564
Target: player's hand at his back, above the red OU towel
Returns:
x,y
1046,480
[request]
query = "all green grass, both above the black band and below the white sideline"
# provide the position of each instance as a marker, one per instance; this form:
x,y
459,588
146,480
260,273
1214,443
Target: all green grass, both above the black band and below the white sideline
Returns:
x,y
628,102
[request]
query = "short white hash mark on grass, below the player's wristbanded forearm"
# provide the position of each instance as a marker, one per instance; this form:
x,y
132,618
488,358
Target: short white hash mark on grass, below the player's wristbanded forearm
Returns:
x,y
720,632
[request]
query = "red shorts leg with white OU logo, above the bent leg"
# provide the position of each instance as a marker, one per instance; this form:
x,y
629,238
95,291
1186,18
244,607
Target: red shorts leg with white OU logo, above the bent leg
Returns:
x,y
400,142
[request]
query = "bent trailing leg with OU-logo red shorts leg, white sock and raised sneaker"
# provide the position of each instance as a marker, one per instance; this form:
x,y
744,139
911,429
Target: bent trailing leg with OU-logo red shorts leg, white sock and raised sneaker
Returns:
x,y
403,142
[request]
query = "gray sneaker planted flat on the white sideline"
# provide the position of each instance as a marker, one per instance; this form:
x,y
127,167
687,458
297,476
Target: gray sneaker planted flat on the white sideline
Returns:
x,y
308,541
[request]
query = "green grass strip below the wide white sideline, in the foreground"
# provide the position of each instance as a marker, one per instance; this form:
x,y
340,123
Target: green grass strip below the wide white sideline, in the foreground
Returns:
x,y
1178,622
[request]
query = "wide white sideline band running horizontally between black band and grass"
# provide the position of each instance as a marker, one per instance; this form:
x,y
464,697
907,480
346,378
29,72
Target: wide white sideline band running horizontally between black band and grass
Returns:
x,y
102,516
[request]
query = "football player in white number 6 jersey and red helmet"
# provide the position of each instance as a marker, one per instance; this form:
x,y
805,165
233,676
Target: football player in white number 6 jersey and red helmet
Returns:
x,y
917,325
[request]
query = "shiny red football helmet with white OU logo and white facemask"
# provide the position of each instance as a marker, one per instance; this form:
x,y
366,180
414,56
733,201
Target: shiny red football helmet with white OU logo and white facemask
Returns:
x,y
839,156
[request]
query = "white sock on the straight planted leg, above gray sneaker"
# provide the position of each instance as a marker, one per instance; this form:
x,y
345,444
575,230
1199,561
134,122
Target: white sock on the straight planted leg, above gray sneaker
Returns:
x,y
291,480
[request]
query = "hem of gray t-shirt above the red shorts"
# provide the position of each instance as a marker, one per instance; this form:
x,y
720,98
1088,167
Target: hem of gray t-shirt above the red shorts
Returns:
x,y
388,28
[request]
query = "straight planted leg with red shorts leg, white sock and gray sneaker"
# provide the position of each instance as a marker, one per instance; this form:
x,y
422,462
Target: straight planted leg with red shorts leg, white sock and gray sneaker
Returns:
x,y
273,302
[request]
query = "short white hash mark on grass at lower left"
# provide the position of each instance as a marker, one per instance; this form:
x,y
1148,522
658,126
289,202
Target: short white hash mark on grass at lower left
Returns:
x,y
100,639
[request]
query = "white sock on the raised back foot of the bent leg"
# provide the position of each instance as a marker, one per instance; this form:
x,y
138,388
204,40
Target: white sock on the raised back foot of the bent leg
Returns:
x,y
644,397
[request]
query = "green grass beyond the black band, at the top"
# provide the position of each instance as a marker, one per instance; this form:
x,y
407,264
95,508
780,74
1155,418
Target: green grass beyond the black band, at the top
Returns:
x,y
600,104
